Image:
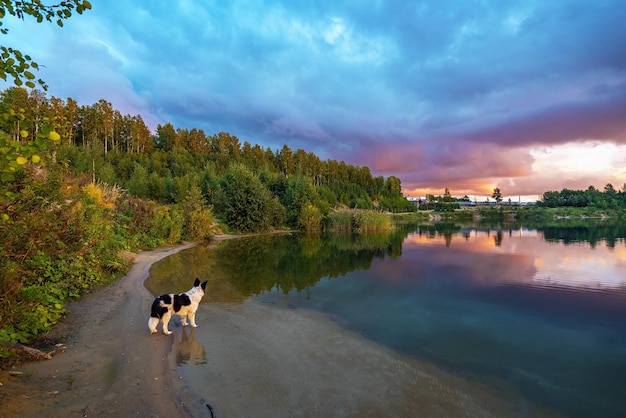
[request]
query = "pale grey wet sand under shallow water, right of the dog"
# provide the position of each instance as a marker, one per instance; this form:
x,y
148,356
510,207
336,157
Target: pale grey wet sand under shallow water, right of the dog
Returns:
x,y
265,360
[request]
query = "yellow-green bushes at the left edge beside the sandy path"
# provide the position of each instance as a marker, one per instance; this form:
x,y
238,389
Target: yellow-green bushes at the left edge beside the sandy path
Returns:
x,y
56,245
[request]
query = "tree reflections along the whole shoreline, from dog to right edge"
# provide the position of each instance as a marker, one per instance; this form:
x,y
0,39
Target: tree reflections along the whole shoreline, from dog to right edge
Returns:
x,y
242,267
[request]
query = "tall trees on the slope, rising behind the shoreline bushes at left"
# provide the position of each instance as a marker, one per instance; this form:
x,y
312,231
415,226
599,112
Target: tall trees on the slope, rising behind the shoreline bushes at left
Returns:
x,y
164,166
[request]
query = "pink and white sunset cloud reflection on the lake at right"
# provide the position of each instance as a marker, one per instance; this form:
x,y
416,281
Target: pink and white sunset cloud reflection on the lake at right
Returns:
x,y
522,257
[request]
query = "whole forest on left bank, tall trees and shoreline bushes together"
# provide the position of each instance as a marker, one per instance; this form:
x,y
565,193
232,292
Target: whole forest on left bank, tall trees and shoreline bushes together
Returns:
x,y
83,184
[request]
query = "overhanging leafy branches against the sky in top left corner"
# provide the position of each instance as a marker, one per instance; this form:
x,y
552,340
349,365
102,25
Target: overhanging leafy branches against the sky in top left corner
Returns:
x,y
13,63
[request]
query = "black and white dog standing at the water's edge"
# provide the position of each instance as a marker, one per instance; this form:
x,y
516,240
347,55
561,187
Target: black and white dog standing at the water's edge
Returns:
x,y
183,304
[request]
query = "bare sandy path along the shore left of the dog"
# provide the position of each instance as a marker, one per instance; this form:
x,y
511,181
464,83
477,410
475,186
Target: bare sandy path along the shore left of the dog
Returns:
x,y
112,365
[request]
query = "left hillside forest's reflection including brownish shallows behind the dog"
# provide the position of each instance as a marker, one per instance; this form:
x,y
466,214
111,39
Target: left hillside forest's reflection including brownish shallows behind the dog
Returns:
x,y
239,268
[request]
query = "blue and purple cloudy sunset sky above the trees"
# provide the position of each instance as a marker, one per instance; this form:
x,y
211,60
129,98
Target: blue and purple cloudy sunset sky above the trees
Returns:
x,y
527,96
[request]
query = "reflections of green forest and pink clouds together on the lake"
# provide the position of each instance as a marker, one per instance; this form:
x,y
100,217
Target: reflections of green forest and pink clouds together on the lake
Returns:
x,y
556,257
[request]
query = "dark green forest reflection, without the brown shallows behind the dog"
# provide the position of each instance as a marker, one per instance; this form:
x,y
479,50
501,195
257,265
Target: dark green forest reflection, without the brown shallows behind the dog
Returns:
x,y
297,262
